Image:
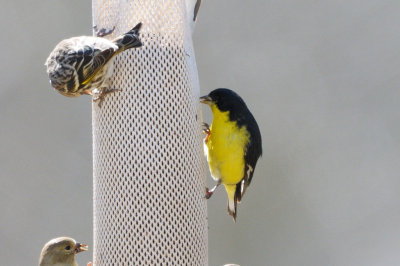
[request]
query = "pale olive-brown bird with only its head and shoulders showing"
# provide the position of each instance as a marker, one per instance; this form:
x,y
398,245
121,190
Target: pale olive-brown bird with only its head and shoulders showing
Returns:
x,y
60,251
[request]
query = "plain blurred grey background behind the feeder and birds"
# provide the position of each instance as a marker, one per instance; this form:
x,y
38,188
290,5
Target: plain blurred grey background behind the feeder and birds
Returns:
x,y
321,78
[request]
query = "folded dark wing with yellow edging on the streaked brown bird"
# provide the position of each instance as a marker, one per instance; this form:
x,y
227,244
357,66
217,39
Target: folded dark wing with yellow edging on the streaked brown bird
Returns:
x,y
90,60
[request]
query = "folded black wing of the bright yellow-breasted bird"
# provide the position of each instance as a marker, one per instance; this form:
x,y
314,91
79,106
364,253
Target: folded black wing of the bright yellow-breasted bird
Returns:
x,y
252,153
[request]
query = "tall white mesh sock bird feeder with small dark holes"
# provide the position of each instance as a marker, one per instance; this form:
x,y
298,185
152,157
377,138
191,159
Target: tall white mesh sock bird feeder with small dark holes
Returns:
x,y
149,174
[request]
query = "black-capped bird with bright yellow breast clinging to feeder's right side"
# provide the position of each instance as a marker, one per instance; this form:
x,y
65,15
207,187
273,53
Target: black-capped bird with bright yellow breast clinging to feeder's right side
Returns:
x,y
233,144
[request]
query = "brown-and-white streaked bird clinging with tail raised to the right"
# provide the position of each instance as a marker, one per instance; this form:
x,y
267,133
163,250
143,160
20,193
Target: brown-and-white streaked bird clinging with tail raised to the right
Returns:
x,y
79,65
